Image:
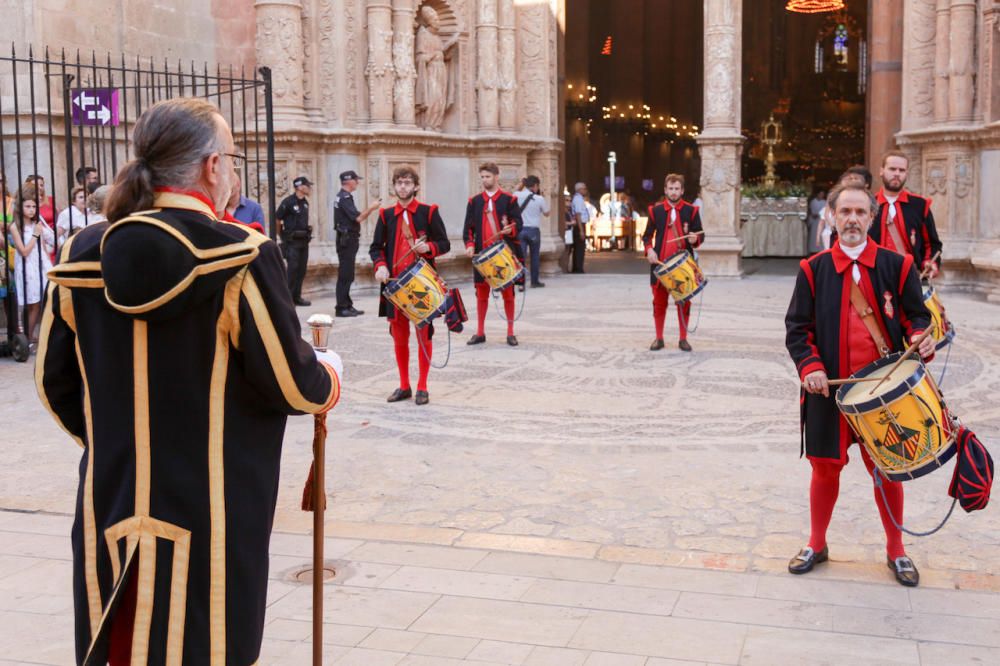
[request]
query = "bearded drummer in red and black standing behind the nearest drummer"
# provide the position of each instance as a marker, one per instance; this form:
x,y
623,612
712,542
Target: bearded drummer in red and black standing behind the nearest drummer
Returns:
x,y
904,222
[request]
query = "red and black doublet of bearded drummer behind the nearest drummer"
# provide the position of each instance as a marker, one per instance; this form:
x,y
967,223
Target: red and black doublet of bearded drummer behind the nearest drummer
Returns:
x,y
914,227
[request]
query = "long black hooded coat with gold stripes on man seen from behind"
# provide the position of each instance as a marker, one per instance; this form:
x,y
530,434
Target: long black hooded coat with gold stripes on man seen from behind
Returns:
x,y
171,353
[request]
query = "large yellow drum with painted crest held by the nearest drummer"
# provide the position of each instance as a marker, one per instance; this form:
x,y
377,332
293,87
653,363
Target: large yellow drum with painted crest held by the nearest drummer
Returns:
x,y
904,425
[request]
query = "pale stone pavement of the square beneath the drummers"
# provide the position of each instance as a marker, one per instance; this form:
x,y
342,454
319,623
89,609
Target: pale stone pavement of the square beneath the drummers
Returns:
x,y
577,499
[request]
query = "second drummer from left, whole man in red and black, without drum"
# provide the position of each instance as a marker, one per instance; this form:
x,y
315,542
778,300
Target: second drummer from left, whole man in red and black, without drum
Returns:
x,y
490,216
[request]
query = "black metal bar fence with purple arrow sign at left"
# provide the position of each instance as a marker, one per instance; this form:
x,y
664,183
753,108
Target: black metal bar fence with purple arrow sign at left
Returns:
x,y
61,112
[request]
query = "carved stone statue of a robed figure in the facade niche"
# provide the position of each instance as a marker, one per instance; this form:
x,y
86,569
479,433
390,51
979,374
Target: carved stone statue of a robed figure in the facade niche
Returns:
x,y
435,85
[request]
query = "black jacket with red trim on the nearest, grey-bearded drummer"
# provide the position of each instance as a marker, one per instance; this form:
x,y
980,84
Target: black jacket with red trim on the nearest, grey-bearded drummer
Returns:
x,y
816,328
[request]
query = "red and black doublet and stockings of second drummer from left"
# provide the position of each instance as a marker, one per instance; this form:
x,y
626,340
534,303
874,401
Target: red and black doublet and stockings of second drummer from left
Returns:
x,y
485,215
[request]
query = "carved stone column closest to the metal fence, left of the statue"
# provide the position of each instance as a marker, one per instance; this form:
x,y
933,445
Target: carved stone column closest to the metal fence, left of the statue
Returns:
x,y
279,46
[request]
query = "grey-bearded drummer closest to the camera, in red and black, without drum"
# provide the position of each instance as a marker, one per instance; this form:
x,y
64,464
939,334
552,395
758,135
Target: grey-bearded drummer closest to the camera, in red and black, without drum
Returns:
x,y
827,337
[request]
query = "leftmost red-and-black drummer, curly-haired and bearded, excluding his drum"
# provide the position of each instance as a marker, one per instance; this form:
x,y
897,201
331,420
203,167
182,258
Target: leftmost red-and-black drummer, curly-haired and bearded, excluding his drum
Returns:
x,y
408,231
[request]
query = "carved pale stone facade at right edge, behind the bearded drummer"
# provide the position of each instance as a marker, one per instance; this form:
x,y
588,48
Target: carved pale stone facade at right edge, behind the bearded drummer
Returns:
x,y
951,130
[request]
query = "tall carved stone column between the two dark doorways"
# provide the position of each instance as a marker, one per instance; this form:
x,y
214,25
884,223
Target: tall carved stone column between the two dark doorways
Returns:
x,y
720,143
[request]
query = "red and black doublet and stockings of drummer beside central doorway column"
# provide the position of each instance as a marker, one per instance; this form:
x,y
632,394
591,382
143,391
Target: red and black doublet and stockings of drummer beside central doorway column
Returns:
x,y
667,223
